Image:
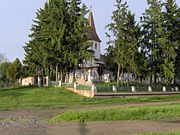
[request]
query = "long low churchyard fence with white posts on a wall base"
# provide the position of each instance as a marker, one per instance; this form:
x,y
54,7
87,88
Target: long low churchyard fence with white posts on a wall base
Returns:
x,y
94,90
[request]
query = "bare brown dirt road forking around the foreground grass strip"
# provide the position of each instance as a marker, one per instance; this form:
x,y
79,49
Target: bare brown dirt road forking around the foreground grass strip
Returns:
x,y
33,122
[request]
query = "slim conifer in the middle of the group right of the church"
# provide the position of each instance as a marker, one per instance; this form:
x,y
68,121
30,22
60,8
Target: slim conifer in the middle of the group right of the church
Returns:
x,y
150,21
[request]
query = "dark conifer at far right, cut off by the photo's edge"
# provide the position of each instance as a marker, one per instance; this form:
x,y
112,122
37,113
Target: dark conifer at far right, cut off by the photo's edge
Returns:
x,y
172,23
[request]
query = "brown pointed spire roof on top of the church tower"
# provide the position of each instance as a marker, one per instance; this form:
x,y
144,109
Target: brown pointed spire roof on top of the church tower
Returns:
x,y
92,35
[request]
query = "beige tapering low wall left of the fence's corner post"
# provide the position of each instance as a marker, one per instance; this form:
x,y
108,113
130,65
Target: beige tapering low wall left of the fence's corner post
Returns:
x,y
86,93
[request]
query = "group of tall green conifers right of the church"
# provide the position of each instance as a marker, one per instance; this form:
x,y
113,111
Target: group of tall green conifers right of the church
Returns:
x,y
148,49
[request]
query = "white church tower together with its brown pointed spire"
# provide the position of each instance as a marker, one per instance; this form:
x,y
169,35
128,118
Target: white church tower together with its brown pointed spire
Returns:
x,y
93,37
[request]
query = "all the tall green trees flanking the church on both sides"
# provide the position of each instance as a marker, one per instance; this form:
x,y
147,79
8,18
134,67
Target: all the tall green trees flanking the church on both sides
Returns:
x,y
58,42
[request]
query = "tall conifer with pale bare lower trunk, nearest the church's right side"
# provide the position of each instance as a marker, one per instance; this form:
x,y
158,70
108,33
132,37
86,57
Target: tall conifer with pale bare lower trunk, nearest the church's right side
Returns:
x,y
124,45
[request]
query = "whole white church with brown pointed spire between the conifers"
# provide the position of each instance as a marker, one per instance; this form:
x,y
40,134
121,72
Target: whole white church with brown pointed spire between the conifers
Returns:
x,y
92,69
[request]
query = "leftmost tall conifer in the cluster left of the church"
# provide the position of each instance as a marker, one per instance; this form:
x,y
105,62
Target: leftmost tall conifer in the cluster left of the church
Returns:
x,y
35,54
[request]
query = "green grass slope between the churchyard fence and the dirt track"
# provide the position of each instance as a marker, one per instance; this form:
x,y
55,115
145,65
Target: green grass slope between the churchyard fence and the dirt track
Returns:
x,y
50,97
